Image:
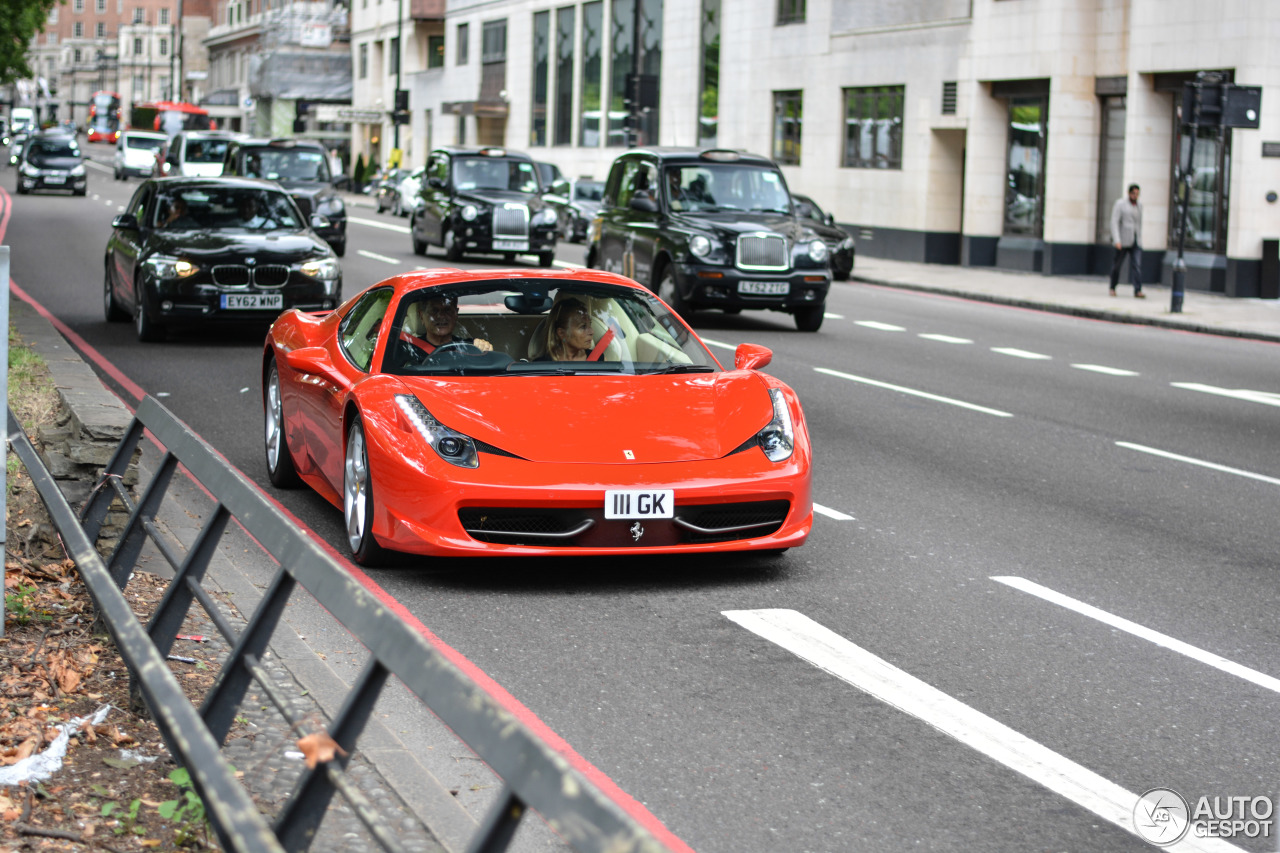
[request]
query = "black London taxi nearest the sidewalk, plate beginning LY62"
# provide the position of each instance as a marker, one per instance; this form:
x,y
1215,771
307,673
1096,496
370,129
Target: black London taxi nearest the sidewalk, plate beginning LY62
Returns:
x,y
711,229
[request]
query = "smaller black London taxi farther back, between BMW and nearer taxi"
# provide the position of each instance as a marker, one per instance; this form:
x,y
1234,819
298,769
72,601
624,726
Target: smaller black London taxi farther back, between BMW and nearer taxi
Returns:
x,y
483,202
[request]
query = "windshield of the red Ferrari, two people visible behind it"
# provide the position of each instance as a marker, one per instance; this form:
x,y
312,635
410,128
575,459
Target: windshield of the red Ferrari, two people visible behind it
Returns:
x,y
538,327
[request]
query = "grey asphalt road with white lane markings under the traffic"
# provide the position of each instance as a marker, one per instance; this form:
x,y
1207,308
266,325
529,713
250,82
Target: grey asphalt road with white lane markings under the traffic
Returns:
x,y
1043,578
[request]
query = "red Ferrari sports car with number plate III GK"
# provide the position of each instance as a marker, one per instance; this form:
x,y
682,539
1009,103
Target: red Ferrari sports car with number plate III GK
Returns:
x,y
532,413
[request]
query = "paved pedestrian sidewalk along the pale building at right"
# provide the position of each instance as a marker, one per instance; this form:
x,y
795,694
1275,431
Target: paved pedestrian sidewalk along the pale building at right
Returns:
x,y
1081,297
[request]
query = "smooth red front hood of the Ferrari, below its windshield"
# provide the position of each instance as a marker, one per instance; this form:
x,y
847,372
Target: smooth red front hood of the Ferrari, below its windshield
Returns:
x,y
609,419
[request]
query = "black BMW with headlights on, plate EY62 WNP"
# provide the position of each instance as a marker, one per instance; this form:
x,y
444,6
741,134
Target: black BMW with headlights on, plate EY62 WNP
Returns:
x,y
202,250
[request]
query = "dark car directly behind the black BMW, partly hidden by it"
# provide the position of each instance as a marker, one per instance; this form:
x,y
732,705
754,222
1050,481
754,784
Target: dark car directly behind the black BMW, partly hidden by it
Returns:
x,y
303,168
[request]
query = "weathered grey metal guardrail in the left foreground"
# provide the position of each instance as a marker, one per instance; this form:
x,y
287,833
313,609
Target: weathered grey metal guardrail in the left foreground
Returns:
x,y
534,776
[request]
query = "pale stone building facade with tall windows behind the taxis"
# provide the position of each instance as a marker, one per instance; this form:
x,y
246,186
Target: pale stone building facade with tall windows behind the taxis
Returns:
x,y
979,133
